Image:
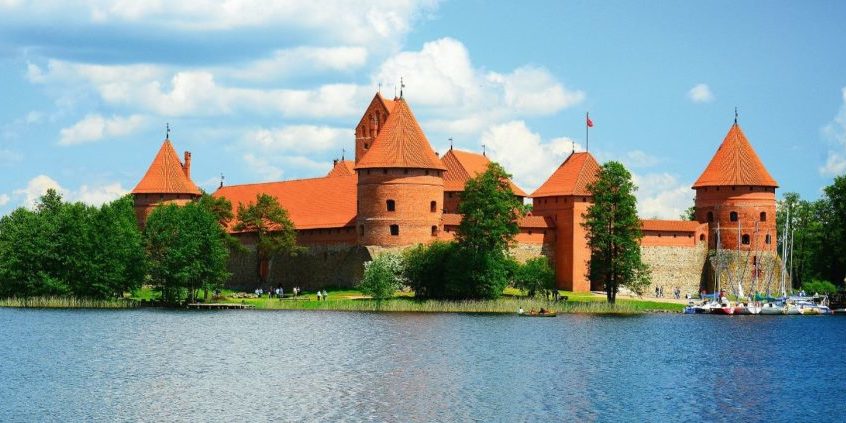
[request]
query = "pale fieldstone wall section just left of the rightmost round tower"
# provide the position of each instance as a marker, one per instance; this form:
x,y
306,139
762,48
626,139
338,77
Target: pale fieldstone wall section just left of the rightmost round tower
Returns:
x,y
675,266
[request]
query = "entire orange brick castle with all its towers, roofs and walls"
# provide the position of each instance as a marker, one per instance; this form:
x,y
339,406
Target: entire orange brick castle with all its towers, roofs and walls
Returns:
x,y
399,192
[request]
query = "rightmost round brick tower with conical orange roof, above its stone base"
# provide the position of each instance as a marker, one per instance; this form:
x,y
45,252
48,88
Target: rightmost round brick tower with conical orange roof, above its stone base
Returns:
x,y
736,194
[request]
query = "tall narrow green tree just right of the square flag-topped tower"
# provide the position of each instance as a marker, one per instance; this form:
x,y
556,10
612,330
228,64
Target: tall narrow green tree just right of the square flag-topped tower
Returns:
x,y
613,231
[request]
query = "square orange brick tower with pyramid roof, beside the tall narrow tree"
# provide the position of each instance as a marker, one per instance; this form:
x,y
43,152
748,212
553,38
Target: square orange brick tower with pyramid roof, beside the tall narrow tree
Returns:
x,y
564,197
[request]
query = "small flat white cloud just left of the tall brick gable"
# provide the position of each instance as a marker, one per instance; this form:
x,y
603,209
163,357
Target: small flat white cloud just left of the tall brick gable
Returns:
x,y
300,138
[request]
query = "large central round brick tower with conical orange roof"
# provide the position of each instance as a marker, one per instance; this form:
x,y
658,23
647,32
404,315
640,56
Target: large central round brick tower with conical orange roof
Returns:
x,y
400,184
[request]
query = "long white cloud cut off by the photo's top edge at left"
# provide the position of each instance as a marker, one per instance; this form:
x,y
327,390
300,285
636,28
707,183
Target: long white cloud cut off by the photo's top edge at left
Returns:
x,y
376,22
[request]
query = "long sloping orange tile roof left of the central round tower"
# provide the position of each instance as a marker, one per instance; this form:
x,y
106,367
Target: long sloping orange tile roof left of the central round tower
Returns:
x,y
311,203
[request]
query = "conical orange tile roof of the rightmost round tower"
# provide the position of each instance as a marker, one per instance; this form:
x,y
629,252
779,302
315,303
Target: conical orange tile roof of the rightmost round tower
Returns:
x,y
735,163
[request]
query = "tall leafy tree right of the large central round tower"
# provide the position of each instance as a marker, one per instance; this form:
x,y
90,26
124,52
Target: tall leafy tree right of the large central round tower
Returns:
x,y
489,212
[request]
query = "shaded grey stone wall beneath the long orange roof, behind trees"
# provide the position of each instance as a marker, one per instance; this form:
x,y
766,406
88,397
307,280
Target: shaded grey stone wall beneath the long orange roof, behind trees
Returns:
x,y
319,266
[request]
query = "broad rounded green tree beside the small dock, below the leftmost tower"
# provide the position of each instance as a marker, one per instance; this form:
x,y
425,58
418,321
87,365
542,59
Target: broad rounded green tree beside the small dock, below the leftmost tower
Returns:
x,y
186,250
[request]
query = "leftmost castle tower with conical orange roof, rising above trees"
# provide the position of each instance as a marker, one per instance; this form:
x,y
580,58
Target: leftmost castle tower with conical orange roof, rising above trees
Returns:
x,y
167,181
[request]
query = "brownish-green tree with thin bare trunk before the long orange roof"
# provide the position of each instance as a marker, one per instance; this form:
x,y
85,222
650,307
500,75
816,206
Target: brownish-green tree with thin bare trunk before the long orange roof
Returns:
x,y
273,230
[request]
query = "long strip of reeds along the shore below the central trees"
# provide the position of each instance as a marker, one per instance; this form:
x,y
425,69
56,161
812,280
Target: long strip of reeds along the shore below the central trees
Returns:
x,y
502,305
